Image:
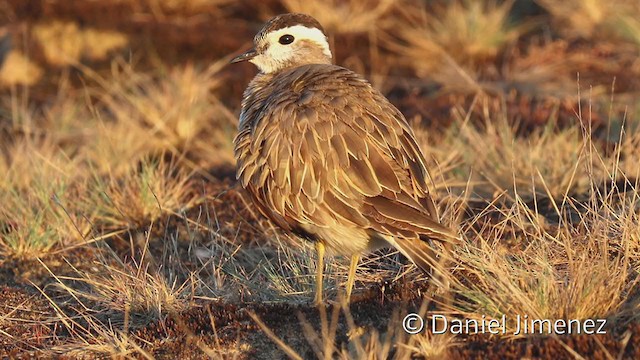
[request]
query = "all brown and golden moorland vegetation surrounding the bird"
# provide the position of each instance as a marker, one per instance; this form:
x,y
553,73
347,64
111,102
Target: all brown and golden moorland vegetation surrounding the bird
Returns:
x,y
123,234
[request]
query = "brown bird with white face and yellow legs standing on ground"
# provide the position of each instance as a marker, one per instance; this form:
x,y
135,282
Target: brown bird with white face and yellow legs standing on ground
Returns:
x,y
326,157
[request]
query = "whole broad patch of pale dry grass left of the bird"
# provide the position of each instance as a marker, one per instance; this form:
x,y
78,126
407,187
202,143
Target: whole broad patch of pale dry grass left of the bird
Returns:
x,y
104,161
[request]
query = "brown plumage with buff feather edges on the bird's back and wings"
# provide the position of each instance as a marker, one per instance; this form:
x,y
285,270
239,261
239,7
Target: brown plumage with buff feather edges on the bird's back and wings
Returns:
x,y
343,155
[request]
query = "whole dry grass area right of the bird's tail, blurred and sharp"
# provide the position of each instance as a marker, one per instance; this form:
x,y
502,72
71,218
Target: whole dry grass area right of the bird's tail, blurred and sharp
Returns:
x,y
565,239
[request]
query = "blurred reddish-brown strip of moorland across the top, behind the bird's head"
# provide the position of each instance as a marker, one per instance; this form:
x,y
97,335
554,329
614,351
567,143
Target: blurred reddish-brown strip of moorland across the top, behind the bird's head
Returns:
x,y
420,53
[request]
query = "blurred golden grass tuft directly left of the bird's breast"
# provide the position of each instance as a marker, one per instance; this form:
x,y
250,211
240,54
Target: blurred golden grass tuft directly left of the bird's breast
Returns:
x,y
177,113
